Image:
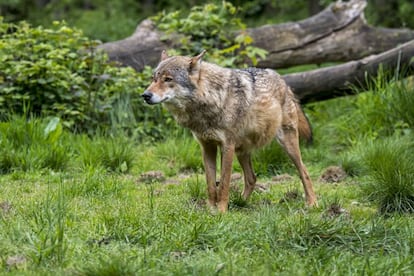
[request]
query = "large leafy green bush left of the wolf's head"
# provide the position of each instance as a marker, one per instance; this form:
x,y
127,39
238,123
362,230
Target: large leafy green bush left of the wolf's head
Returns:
x,y
57,72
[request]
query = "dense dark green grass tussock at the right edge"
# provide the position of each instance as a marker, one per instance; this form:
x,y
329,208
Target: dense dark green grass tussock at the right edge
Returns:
x,y
390,165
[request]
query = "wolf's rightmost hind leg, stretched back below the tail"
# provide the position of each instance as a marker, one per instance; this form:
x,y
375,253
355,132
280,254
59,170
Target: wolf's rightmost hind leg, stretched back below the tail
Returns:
x,y
288,137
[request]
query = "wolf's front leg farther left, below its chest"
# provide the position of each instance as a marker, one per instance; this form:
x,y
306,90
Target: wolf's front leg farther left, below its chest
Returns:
x,y
209,158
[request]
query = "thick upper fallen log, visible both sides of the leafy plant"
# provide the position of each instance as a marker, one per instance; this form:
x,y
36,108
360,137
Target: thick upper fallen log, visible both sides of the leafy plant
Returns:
x,y
338,33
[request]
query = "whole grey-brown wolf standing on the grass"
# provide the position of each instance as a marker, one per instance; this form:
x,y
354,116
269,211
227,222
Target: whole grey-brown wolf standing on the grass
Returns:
x,y
236,110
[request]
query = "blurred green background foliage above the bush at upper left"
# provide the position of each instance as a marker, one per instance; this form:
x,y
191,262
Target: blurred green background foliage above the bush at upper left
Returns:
x,y
99,19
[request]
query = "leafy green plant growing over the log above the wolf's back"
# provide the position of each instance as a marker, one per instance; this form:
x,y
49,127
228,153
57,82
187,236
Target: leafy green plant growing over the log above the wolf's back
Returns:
x,y
211,27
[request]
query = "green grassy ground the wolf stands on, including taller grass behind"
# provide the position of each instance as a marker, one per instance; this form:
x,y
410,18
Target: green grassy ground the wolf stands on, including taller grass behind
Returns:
x,y
91,208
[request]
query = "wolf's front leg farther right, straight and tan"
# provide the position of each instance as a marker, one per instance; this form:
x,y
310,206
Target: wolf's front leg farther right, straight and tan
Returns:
x,y
227,153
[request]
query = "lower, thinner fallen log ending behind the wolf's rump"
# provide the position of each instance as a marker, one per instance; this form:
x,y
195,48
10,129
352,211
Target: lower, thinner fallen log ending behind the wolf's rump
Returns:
x,y
340,80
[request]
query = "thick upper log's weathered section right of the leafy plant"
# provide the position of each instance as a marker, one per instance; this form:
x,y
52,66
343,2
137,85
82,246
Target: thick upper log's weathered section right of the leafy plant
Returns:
x,y
337,34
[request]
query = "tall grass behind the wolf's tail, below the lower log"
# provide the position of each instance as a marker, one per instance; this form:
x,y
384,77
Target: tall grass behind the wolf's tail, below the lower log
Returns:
x,y
383,110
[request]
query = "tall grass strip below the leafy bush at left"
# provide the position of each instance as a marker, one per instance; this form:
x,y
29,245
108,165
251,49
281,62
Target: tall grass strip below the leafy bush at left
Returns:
x,y
32,144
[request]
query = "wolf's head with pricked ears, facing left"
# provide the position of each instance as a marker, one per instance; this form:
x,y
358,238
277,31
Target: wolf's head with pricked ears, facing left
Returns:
x,y
174,78
